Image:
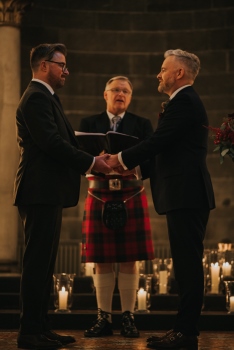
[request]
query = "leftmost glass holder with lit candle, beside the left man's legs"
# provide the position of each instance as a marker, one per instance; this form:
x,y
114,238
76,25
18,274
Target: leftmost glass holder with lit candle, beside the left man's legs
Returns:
x,y
63,292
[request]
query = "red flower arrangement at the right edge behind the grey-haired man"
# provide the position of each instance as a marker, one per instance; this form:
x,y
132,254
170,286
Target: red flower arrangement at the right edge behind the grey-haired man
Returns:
x,y
224,138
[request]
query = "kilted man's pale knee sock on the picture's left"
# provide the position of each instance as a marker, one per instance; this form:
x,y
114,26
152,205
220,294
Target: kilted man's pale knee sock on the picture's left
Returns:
x,y
104,284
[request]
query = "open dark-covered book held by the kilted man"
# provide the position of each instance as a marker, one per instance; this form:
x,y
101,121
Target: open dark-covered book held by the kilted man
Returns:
x,y
112,142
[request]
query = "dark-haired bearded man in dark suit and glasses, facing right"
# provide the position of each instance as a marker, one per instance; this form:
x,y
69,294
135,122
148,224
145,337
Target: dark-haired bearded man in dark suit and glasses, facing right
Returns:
x,y
47,180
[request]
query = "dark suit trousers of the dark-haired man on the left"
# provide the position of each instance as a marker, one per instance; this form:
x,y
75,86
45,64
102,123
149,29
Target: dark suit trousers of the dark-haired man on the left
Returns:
x,y
42,225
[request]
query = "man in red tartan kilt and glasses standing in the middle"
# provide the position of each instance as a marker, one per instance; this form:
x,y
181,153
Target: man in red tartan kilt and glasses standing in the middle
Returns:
x,y
105,246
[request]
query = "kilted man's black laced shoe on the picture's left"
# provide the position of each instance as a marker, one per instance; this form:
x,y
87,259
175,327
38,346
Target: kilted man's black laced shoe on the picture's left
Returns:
x,y
101,326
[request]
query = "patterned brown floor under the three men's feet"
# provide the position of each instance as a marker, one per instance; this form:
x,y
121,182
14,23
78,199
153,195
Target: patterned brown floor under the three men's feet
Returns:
x,y
207,341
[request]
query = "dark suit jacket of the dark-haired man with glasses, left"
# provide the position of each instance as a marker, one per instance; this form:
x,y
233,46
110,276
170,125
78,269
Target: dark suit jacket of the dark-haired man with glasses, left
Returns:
x,y
50,163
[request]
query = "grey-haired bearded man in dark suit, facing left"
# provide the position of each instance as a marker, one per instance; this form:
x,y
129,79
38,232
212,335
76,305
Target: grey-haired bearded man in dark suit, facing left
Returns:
x,y
181,187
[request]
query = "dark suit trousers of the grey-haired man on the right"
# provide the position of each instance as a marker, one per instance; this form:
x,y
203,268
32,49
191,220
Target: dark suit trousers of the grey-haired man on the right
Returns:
x,y
186,229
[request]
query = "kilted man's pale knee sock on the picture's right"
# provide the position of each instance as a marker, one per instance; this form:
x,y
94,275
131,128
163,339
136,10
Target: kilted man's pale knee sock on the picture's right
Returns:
x,y
128,285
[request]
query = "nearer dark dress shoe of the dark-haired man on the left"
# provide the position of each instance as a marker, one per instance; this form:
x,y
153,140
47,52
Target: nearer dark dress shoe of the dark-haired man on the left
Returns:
x,y
37,342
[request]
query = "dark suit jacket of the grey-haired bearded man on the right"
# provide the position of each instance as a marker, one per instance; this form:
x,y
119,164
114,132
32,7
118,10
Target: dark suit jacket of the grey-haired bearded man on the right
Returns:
x,y
176,156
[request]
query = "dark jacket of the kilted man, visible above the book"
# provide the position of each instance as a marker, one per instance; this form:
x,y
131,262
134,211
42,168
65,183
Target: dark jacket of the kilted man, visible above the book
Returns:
x,y
131,124
